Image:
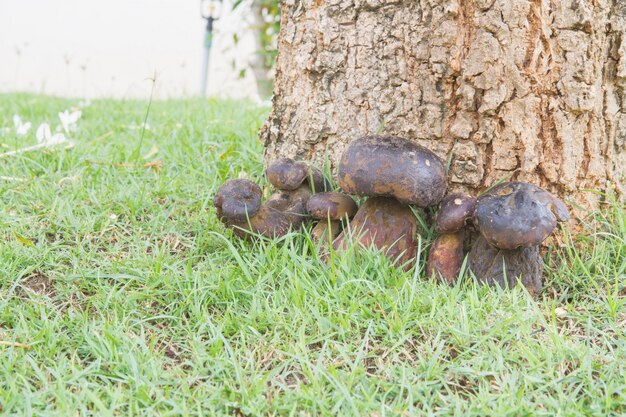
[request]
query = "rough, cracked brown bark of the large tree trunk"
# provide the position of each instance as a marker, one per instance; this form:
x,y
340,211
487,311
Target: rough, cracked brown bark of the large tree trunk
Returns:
x,y
531,90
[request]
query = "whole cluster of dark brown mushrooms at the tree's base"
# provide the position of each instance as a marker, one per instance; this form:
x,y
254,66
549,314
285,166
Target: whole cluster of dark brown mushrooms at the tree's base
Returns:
x,y
500,230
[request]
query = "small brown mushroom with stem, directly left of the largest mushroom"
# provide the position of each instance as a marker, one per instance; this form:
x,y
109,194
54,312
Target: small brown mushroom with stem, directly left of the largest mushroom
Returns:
x,y
329,208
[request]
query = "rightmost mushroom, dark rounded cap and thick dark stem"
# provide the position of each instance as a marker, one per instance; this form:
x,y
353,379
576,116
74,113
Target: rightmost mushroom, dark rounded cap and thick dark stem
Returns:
x,y
513,218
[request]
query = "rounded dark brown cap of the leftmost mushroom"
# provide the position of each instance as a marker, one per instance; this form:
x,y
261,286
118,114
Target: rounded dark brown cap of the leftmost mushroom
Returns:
x,y
237,200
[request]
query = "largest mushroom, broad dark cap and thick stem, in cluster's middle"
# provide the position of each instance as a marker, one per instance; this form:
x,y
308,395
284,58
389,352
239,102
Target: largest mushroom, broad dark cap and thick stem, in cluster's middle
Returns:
x,y
393,172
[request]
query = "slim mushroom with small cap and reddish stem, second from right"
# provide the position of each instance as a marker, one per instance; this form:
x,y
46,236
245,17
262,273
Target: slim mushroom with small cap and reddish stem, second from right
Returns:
x,y
446,253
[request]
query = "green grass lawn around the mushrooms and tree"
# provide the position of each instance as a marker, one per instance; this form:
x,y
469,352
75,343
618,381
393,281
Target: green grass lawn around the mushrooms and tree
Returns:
x,y
136,301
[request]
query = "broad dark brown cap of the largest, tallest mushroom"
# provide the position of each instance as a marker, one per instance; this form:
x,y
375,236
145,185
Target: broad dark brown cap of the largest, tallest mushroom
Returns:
x,y
389,166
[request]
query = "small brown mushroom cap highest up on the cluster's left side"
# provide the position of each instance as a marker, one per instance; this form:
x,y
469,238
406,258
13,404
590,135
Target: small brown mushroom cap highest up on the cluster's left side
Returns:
x,y
287,175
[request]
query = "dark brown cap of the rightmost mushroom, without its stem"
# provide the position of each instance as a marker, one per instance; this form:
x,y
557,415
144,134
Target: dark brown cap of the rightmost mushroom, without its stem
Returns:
x,y
515,214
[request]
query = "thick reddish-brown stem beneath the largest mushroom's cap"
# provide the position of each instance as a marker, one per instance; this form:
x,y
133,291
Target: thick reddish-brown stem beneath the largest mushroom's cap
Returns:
x,y
386,224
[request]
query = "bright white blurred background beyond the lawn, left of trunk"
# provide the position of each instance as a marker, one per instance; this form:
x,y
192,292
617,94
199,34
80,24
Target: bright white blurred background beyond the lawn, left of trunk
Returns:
x,y
92,49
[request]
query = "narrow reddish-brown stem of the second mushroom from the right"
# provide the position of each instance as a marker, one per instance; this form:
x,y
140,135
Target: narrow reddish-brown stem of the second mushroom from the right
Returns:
x,y
446,257
